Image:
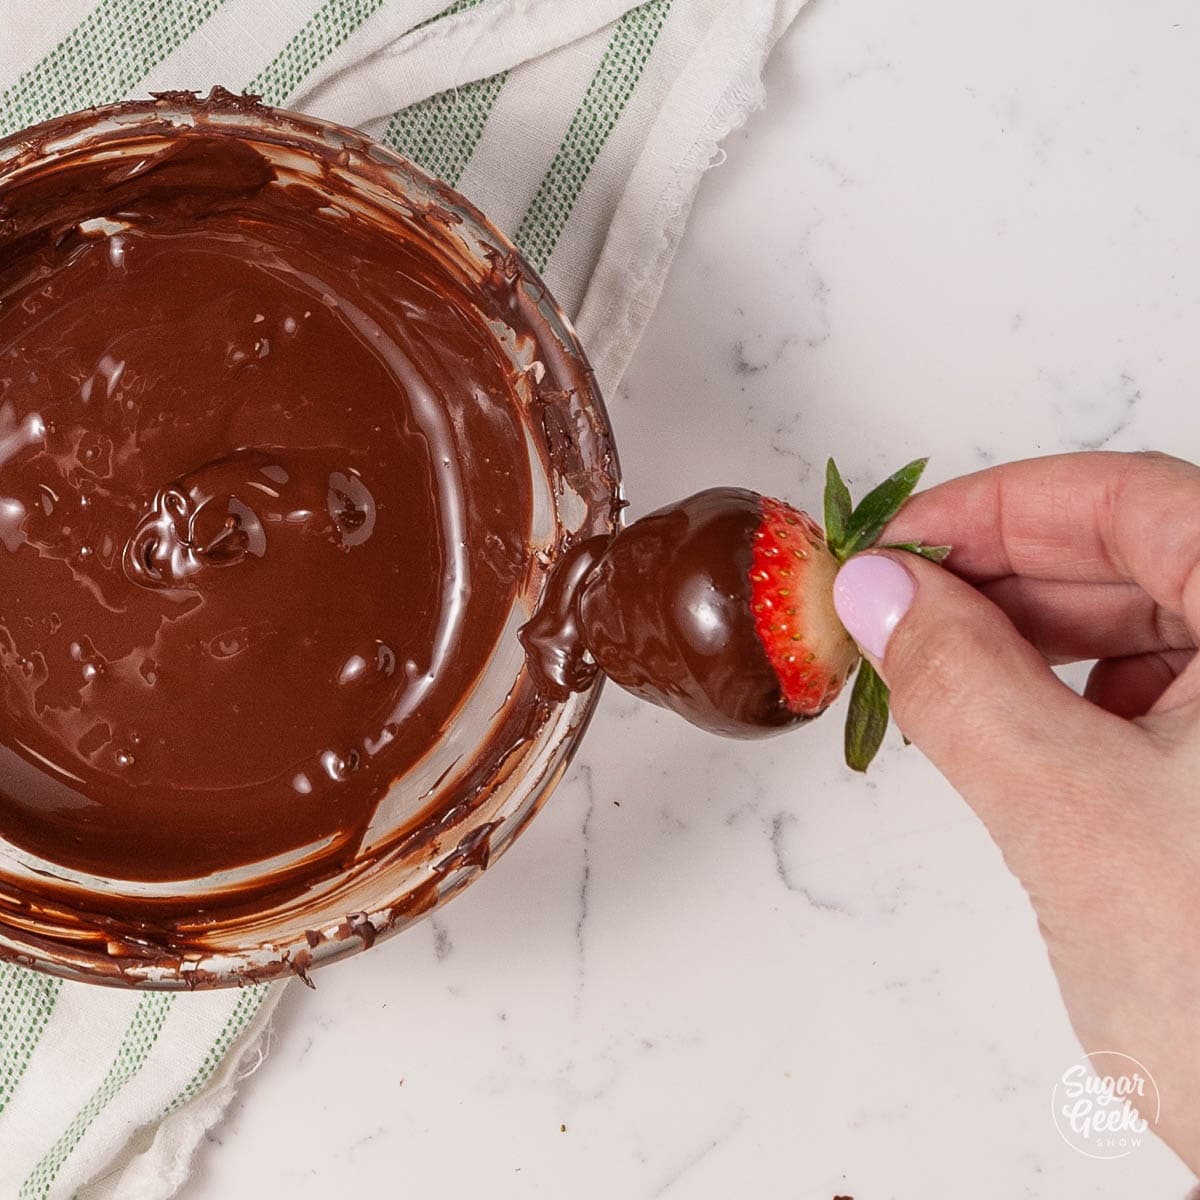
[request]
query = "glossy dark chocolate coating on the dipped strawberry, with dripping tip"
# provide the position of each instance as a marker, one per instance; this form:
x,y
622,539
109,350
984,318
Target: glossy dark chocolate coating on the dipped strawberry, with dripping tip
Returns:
x,y
664,610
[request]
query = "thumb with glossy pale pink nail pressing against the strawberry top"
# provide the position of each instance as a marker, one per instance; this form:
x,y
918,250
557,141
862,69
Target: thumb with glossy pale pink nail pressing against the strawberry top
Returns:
x,y
970,692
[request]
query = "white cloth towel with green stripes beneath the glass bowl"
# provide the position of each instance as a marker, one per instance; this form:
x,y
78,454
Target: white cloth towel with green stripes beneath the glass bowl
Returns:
x,y
583,129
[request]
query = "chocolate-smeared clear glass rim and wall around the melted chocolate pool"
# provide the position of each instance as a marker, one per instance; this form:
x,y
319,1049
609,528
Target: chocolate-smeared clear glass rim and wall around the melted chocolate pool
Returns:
x,y
460,808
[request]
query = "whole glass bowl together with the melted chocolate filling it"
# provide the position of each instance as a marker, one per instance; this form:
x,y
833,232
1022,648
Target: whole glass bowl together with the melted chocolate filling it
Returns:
x,y
290,441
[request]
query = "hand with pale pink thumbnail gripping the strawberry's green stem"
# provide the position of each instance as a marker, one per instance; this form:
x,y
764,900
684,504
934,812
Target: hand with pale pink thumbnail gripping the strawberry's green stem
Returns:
x,y
1095,801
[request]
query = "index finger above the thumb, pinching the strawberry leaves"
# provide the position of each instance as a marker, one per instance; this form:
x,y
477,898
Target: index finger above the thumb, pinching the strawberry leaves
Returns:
x,y
1096,518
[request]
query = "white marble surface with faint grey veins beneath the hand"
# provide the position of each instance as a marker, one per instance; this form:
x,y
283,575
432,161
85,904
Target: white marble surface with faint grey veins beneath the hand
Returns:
x,y
730,970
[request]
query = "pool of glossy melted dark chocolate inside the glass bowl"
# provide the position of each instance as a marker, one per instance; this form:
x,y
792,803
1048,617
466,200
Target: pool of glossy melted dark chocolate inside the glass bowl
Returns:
x,y
265,506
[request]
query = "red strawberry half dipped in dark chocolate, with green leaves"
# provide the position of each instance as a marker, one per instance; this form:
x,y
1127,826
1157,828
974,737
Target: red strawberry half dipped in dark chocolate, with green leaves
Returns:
x,y
721,608
